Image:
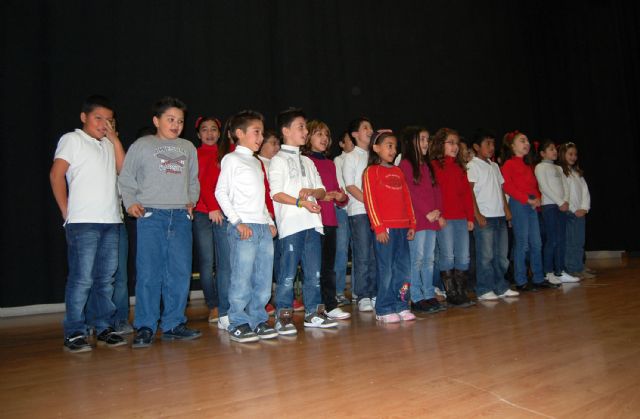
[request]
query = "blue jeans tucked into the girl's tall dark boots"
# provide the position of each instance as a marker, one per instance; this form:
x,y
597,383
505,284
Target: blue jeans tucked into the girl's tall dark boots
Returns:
x,y
453,244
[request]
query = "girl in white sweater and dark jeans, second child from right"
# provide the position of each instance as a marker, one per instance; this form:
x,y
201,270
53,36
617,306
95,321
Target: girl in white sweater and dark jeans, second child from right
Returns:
x,y
555,203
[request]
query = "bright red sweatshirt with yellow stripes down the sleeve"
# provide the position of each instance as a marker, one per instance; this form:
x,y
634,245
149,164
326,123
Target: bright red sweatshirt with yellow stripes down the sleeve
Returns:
x,y
387,199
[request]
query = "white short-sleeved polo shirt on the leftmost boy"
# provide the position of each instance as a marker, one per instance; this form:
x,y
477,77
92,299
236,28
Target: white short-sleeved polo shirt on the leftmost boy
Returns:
x,y
92,178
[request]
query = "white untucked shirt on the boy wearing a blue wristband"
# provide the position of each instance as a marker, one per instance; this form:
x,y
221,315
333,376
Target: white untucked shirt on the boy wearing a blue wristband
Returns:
x,y
289,172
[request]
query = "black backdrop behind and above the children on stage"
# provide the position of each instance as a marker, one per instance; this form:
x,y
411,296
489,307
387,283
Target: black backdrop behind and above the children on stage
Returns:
x,y
563,70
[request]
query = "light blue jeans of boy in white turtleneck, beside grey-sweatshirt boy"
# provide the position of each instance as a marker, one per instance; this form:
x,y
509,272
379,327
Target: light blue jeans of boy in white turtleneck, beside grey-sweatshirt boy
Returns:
x,y
251,269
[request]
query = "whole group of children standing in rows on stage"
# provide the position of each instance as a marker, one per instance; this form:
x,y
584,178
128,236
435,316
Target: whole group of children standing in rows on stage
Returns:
x,y
257,210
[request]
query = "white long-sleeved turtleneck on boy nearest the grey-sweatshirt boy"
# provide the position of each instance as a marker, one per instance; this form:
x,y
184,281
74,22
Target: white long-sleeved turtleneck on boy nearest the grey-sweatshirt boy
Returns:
x,y
240,189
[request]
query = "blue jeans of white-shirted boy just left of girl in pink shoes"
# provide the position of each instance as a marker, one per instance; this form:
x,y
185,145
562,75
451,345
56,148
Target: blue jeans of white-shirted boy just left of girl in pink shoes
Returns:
x,y
364,262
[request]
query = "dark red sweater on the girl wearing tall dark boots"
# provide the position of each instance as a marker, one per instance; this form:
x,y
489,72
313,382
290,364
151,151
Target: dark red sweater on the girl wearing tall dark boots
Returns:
x,y
457,202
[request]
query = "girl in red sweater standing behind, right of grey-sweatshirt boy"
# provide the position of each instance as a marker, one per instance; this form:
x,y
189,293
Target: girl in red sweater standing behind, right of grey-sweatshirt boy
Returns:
x,y
209,224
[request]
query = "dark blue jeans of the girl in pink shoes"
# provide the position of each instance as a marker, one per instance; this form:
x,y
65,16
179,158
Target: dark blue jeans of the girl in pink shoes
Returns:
x,y
394,270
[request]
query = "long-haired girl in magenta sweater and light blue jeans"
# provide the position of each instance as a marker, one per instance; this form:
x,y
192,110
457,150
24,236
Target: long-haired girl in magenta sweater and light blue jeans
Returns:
x,y
427,201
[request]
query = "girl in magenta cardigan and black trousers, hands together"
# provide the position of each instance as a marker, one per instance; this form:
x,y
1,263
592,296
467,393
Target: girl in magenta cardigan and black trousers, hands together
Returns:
x,y
318,141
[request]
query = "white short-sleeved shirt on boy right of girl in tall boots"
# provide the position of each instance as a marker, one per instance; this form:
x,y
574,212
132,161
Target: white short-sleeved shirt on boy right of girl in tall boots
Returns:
x,y
487,186
